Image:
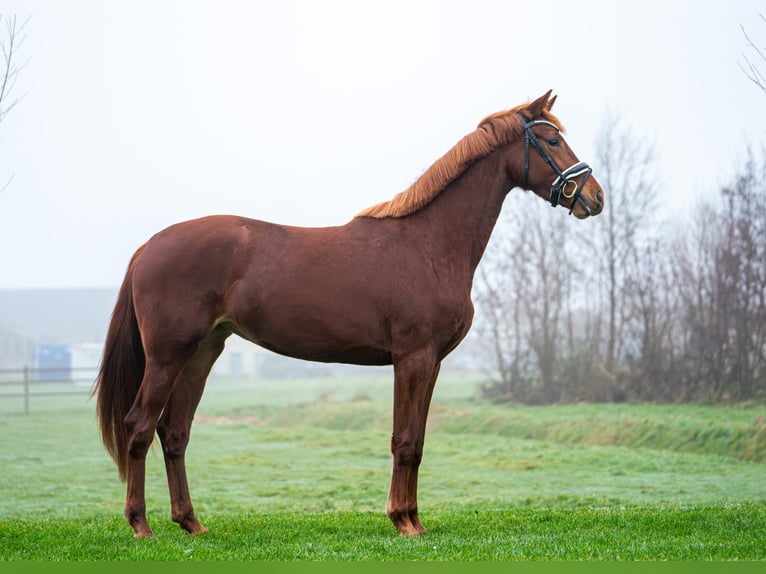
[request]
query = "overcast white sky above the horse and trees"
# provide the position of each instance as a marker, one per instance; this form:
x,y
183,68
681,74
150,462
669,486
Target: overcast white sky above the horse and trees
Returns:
x,y
140,114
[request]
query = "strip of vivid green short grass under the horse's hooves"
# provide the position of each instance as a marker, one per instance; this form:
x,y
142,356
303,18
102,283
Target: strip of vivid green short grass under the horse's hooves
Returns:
x,y
674,533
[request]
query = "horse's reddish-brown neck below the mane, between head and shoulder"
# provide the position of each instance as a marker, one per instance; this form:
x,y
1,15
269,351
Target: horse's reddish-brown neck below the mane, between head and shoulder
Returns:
x,y
462,217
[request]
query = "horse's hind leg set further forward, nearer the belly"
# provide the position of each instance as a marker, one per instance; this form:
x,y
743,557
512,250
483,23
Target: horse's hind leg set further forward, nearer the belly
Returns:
x,y
175,426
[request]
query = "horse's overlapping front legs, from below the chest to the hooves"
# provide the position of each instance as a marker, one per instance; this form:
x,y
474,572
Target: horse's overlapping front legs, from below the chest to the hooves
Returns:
x,y
414,379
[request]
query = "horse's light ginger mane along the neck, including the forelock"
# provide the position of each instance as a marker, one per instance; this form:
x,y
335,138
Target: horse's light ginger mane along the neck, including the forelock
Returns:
x,y
492,132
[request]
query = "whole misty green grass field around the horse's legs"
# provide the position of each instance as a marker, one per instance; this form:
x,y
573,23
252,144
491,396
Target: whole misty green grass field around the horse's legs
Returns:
x,y
298,470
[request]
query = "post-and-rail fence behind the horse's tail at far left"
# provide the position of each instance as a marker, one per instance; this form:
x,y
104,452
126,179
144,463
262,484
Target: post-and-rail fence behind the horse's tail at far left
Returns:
x,y
29,384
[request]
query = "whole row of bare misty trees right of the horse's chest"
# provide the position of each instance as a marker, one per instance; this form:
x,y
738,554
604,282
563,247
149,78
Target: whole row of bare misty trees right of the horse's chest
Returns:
x,y
628,306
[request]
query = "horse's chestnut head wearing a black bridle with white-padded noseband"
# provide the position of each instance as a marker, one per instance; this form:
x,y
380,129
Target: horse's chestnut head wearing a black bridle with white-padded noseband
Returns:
x,y
542,161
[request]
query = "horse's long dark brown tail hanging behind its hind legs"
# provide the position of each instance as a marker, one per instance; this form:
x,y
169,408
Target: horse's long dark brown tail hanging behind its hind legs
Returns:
x,y
120,373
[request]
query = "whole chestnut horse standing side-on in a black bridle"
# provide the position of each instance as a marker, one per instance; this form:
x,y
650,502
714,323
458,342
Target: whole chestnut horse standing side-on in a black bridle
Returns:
x,y
392,286
